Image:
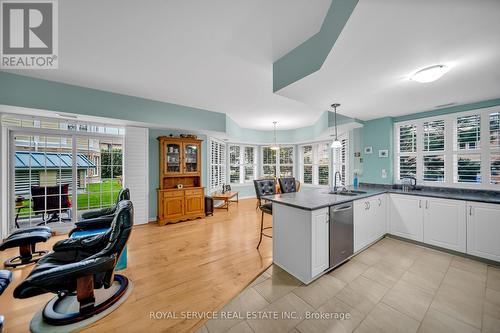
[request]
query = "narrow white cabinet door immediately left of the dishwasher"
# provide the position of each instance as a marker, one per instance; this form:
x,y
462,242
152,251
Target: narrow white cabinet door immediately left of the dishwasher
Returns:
x,y
320,241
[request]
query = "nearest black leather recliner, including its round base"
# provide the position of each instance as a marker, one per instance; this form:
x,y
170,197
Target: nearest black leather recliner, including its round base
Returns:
x,y
81,265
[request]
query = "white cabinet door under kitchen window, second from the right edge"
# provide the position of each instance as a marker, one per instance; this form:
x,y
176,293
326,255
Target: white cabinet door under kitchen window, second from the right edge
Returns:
x,y
444,223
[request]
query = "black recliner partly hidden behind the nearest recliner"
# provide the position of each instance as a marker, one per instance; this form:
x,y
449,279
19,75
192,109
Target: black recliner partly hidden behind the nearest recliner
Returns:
x,y
100,218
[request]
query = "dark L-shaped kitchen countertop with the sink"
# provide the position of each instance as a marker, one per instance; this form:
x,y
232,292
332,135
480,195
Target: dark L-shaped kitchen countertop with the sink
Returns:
x,y
320,198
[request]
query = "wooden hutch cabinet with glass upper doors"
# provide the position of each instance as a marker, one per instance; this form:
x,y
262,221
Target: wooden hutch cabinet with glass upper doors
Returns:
x,y
180,196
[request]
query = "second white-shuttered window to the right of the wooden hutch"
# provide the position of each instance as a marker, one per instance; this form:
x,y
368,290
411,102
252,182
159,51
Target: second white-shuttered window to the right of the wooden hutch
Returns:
x,y
241,164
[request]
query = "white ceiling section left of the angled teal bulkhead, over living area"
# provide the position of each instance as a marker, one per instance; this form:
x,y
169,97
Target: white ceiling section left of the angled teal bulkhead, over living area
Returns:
x,y
215,55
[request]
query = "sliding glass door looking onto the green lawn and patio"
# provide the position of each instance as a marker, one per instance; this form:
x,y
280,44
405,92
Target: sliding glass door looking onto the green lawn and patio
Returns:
x,y
55,177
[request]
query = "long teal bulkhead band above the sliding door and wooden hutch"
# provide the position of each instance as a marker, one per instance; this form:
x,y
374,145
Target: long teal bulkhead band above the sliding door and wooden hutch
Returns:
x,y
22,91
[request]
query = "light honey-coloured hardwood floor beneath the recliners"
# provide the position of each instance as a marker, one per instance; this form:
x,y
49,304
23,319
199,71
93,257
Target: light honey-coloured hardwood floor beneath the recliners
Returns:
x,y
184,268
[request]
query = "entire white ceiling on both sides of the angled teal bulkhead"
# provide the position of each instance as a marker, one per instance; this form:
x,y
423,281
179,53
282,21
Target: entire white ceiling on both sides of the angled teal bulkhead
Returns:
x,y
218,55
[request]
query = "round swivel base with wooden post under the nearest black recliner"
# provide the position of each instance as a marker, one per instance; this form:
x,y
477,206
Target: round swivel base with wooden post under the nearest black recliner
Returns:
x,y
86,300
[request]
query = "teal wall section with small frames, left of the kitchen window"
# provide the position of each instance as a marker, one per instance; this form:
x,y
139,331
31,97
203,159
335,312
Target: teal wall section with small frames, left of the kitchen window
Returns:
x,y
378,134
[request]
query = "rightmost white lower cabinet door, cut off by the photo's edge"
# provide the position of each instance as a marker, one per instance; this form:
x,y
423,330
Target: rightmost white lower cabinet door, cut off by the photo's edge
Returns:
x,y
483,230
